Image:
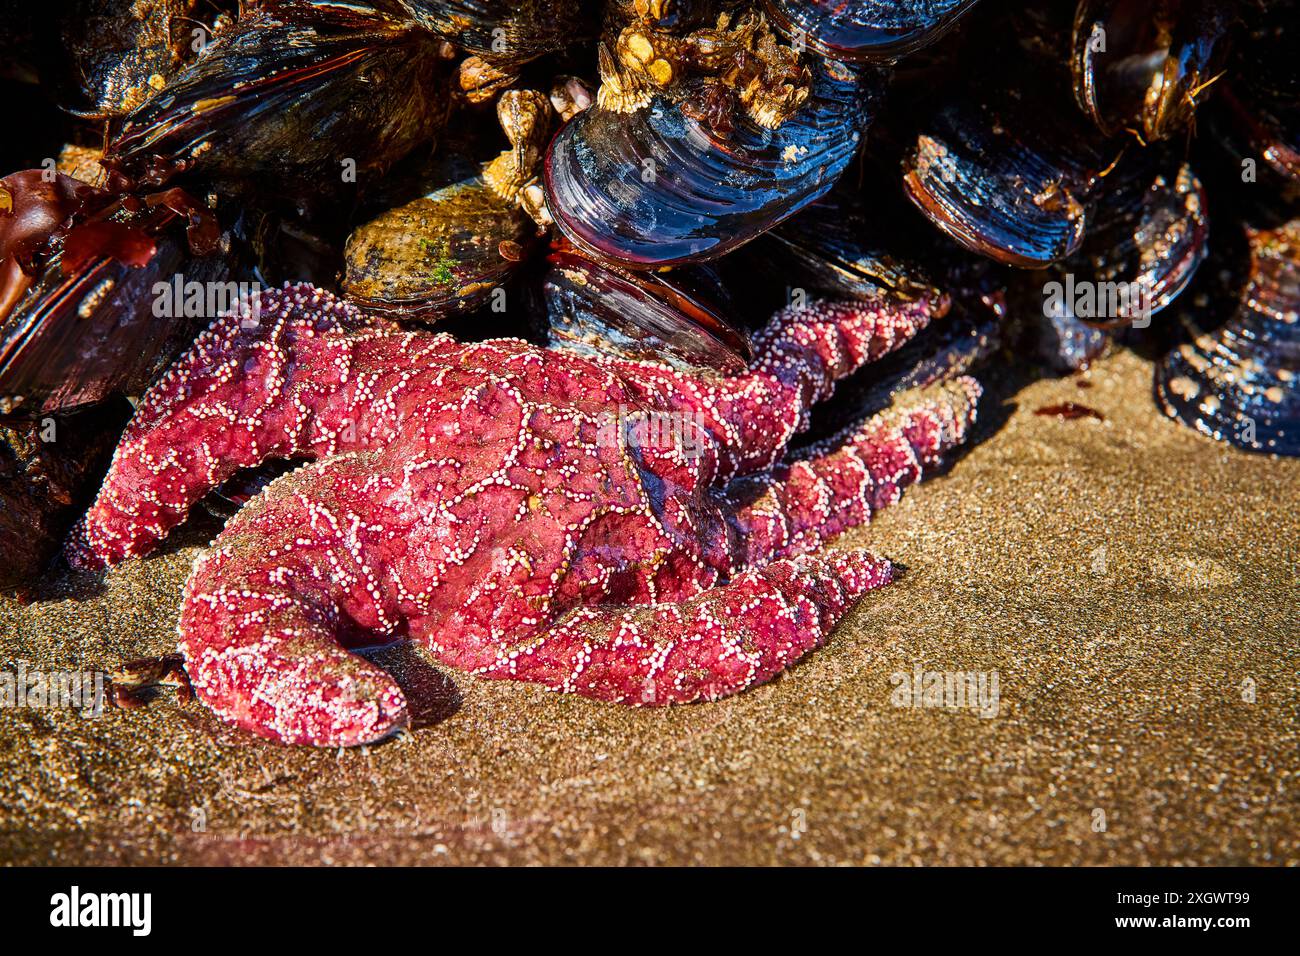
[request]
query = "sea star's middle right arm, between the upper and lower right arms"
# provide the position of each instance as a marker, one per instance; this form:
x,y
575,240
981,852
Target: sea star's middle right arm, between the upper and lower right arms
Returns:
x,y
839,485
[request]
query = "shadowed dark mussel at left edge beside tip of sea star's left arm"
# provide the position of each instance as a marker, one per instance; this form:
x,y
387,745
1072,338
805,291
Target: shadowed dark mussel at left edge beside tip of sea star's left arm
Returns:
x,y
49,470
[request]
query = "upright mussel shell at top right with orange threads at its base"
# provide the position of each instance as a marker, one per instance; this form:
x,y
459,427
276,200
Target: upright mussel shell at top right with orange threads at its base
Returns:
x,y
1143,66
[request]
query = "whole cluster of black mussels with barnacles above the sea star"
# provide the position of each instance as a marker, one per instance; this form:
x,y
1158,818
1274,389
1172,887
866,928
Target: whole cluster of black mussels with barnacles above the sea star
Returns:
x,y
649,179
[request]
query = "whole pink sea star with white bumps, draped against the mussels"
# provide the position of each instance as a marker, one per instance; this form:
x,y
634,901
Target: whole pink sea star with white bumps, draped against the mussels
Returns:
x,y
610,529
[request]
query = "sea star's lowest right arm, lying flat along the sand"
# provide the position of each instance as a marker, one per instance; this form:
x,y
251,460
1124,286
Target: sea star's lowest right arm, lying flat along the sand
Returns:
x,y
716,644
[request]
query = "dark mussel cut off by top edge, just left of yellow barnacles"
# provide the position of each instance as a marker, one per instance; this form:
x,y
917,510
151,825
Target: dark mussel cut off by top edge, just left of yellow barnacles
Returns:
x,y
504,32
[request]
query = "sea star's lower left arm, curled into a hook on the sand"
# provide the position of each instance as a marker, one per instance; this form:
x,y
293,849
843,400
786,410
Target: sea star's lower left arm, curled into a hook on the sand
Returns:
x,y
266,613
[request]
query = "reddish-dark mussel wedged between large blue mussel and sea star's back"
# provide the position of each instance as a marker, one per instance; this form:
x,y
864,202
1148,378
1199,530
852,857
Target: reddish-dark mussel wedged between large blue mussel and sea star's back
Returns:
x,y
674,318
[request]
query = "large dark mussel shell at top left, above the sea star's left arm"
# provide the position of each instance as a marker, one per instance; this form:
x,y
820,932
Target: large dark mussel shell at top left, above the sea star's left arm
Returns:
x,y
294,100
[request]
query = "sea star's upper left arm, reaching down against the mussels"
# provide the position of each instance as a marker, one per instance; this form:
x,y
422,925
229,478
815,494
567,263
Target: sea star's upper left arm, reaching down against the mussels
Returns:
x,y
267,382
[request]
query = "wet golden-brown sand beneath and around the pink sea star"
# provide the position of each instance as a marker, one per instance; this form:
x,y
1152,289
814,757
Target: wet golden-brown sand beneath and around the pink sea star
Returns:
x,y
1129,582
